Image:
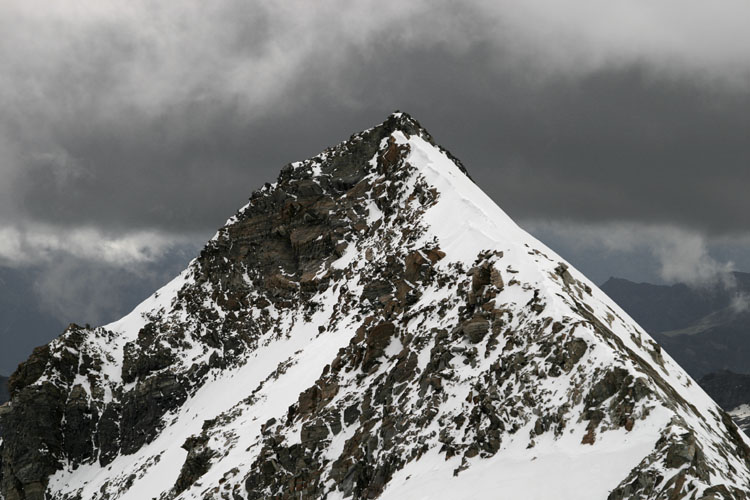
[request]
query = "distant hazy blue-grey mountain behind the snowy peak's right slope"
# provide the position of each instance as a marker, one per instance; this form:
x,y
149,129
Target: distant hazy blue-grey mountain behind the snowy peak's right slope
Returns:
x,y
705,329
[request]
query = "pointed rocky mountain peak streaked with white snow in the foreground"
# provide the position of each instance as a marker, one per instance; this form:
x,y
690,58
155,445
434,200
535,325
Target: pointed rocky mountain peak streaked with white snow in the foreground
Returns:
x,y
372,325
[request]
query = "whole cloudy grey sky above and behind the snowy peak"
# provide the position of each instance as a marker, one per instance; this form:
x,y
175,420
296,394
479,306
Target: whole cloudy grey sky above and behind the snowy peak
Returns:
x,y
616,132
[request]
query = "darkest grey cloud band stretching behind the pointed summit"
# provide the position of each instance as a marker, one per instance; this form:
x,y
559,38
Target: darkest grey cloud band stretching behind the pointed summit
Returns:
x,y
610,146
